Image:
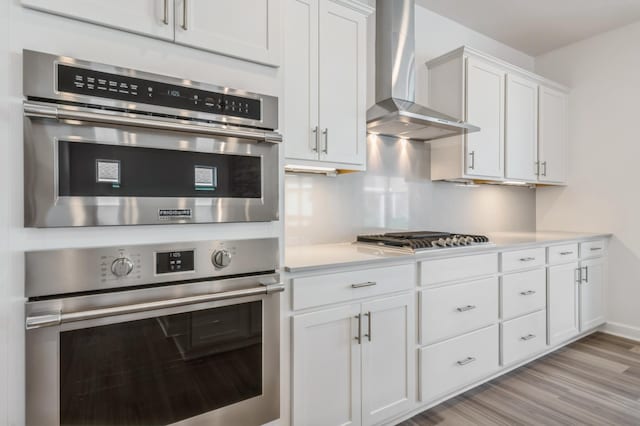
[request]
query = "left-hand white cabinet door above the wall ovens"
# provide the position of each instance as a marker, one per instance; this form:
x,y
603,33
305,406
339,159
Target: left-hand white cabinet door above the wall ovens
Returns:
x,y
148,17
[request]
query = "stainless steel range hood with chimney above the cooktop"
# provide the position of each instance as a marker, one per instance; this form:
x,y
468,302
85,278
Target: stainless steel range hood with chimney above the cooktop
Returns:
x,y
395,113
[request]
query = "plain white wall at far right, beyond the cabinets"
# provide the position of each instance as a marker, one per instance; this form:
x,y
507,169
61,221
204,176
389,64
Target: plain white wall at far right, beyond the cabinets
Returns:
x,y
602,195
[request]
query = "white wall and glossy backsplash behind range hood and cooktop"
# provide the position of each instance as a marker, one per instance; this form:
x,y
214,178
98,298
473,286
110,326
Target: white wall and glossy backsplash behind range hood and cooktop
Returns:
x,y
396,192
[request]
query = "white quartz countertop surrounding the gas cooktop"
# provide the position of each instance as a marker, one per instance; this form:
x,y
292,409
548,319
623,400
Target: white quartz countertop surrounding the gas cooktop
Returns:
x,y
322,256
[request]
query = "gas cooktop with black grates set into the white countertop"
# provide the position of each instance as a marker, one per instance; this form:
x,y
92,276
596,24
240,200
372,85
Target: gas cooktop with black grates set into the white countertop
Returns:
x,y
423,240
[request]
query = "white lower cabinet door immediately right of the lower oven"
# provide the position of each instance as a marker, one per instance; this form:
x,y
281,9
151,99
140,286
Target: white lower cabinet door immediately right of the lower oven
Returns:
x,y
326,368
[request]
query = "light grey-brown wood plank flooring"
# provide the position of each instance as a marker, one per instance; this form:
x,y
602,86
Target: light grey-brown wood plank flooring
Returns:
x,y
594,381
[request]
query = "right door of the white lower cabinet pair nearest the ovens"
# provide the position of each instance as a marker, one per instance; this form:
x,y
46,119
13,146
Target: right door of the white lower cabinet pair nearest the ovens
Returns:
x,y
388,358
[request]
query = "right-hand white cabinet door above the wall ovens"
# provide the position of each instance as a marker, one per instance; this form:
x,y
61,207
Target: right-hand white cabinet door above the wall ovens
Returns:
x,y
245,29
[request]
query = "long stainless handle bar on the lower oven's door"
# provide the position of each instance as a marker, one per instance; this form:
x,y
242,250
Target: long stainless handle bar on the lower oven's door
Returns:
x,y
58,318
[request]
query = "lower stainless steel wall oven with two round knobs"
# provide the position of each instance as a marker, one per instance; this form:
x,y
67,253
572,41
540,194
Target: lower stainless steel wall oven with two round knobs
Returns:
x,y
203,350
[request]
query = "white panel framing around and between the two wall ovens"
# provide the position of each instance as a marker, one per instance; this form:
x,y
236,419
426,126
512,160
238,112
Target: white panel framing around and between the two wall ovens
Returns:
x,y
26,29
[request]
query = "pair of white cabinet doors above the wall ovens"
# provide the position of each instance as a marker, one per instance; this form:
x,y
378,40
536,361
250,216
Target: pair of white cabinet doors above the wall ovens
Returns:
x,y
203,24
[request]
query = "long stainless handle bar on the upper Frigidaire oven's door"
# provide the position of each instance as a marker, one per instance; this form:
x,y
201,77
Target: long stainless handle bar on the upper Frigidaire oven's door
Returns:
x,y
126,119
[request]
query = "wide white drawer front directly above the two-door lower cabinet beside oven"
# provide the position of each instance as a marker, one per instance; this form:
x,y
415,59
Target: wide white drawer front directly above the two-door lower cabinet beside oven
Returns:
x,y
344,286
